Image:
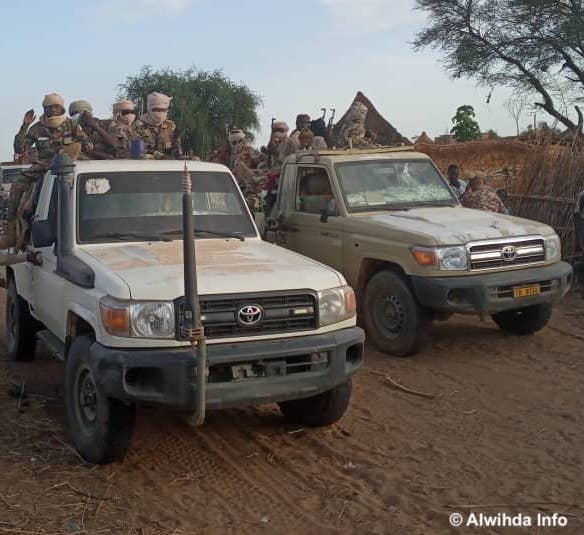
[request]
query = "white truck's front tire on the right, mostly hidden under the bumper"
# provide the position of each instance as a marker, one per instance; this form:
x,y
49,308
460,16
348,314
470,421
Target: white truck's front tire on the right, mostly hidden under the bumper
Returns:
x,y
320,410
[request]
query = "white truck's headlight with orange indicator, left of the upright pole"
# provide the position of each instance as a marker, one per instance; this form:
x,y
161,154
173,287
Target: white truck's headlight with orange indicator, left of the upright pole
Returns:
x,y
139,319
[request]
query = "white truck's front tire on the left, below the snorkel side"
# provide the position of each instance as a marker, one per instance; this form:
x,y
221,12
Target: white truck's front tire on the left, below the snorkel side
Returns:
x,y
101,428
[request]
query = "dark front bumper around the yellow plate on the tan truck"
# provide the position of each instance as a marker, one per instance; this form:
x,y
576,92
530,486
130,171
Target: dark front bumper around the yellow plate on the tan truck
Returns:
x,y
490,293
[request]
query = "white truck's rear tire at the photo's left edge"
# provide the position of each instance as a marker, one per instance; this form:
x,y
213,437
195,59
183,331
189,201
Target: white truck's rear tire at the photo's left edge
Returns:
x,y
20,326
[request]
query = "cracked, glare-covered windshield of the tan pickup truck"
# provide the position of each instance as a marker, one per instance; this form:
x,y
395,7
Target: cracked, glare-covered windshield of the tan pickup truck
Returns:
x,y
392,184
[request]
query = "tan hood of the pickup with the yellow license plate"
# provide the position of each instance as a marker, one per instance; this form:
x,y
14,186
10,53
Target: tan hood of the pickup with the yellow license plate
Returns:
x,y
456,225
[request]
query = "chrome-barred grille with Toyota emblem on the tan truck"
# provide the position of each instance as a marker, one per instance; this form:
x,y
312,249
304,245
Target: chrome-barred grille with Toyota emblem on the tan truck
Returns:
x,y
492,255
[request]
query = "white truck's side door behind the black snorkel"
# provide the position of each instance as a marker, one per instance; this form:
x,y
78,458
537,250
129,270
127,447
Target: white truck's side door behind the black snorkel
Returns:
x,y
47,287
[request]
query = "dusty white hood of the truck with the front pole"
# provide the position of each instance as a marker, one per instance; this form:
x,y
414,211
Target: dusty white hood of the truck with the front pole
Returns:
x,y
154,270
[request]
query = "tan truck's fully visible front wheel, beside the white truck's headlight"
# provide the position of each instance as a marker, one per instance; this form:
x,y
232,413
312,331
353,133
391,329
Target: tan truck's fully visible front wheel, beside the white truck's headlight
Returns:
x,y
394,320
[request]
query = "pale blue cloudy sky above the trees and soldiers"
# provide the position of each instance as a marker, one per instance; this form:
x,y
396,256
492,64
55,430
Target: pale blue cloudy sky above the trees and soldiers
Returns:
x,y
298,56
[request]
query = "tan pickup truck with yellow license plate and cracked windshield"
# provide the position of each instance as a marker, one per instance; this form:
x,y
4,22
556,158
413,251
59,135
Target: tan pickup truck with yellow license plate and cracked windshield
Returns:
x,y
388,220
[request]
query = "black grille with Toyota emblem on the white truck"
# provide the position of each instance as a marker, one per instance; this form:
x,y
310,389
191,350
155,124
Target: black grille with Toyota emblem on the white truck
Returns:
x,y
222,315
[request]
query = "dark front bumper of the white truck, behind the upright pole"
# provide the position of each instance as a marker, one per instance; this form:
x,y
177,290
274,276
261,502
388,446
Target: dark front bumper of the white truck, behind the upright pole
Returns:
x,y
167,377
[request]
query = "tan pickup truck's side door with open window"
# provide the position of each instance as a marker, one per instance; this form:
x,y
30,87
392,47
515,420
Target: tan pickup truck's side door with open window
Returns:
x,y
306,233
